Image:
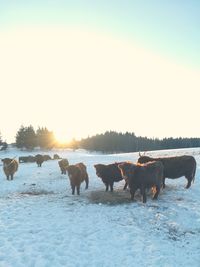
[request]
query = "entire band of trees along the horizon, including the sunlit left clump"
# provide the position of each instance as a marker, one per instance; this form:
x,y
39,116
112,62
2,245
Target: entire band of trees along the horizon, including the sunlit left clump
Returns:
x,y
108,142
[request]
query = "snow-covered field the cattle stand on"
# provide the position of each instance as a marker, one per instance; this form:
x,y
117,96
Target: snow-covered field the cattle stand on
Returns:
x,y
43,225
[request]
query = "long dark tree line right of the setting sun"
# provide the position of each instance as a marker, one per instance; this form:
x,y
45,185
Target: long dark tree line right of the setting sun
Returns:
x,y
111,142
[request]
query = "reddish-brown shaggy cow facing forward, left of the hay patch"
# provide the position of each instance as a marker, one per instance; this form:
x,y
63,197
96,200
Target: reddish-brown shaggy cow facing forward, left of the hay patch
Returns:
x,y
77,174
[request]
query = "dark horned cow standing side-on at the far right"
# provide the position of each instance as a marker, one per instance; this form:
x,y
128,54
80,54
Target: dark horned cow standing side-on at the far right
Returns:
x,y
175,167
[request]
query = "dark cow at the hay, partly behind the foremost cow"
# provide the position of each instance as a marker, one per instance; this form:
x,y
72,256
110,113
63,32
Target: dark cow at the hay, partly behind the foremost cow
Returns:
x,y
109,174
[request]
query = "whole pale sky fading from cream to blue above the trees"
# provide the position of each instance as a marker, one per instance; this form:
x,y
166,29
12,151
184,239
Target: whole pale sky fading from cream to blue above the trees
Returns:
x,y
82,67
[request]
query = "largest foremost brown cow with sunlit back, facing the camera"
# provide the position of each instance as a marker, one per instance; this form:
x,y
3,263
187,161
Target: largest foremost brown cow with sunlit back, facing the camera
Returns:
x,y
143,176
